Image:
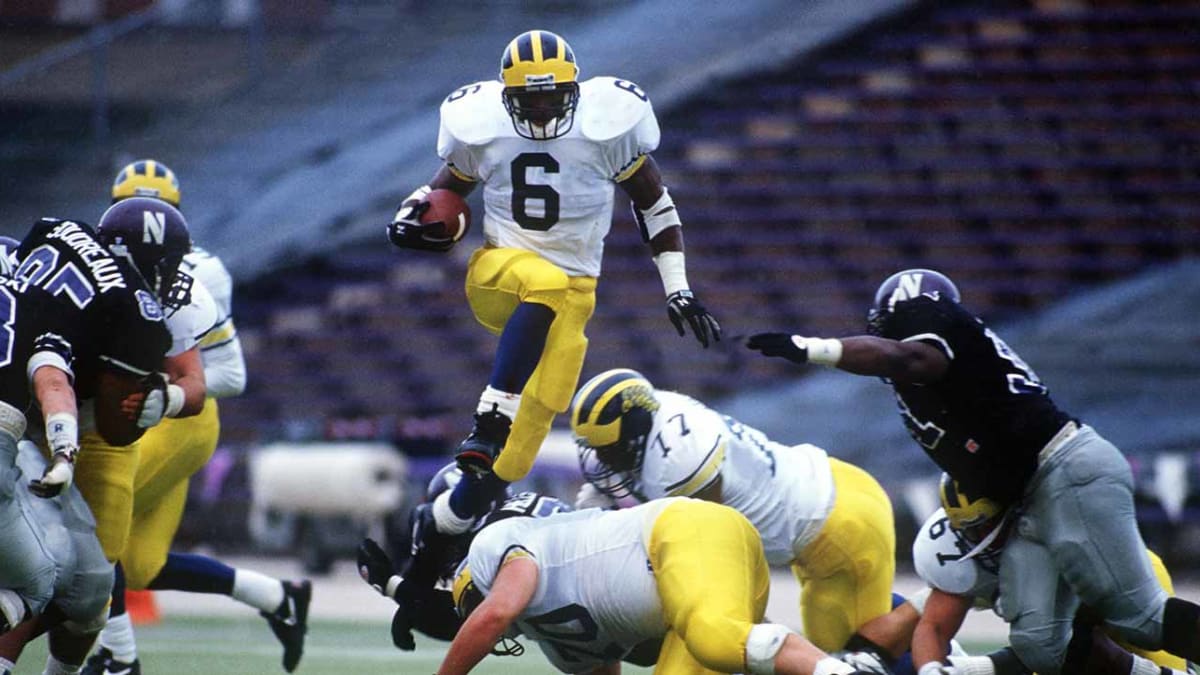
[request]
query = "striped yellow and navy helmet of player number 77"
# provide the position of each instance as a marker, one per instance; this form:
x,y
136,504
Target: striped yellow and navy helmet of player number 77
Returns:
x,y
611,417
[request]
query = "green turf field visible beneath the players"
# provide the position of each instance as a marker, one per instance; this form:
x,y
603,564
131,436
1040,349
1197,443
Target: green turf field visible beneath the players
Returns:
x,y
245,647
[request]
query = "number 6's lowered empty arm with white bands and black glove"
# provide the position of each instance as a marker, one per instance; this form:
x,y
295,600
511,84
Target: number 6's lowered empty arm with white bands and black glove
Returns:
x,y
659,220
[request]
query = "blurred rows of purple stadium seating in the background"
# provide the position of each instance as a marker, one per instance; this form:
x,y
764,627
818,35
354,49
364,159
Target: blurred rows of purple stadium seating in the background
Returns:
x,y
1029,150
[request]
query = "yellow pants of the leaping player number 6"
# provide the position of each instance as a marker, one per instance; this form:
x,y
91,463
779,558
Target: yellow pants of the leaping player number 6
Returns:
x,y
497,282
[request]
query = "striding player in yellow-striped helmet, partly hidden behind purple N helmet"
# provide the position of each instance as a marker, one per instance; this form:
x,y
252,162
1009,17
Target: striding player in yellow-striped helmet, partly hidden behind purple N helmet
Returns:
x,y
176,449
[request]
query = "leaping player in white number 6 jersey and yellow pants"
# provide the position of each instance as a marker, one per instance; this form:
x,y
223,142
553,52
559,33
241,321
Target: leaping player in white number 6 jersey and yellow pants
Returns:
x,y
549,151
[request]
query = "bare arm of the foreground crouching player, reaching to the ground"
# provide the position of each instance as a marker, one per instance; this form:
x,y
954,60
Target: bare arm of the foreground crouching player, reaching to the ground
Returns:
x,y
514,588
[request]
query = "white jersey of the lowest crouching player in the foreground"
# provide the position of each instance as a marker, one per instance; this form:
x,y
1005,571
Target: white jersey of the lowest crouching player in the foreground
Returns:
x,y
597,598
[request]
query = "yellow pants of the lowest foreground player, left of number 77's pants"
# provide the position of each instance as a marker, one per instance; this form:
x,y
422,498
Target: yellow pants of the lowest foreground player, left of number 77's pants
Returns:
x,y
713,583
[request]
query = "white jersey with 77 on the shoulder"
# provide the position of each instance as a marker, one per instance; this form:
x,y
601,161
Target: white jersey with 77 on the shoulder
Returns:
x,y
785,492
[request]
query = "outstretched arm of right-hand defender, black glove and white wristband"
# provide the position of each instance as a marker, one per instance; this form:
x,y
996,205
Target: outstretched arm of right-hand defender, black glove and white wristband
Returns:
x,y
862,355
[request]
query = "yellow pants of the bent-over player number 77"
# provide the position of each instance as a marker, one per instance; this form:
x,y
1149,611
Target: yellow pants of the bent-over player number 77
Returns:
x,y
847,572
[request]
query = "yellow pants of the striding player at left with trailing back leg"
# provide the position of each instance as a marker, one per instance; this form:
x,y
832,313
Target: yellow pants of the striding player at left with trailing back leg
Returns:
x,y
169,455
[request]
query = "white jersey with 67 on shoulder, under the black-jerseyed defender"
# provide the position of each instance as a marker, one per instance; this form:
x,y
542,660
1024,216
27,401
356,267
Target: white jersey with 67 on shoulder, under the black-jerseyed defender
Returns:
x,y
938,555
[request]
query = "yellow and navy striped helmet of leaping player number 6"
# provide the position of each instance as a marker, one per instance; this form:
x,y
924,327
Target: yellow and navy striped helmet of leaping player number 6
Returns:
x,y
542,88
